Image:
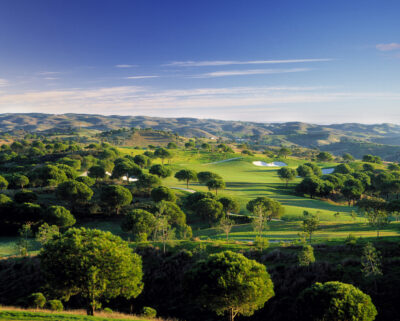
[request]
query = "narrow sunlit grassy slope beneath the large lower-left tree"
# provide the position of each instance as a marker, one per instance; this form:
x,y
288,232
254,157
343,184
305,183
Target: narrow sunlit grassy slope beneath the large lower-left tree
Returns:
x,y
12,313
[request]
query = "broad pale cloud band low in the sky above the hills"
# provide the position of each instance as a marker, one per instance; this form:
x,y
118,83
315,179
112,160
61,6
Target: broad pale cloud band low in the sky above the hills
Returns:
x,y
202,102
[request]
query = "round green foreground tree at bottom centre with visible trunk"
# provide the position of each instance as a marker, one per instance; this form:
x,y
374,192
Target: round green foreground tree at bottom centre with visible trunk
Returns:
x,y
228,282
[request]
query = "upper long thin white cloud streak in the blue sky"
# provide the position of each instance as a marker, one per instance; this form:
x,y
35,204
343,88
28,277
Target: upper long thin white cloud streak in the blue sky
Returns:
x,y
234,62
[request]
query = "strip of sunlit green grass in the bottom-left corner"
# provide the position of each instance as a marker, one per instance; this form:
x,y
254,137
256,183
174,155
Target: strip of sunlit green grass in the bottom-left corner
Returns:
x,y
55,316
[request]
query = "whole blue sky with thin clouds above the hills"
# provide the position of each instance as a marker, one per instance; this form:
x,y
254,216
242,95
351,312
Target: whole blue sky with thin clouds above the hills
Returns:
x,y
265,61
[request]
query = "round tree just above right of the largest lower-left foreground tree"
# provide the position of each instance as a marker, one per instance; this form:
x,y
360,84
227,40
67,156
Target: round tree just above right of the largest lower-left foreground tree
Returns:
x,y
140,223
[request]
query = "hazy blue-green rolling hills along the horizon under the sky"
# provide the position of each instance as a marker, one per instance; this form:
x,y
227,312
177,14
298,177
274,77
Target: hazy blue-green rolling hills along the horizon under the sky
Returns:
x,y
355,138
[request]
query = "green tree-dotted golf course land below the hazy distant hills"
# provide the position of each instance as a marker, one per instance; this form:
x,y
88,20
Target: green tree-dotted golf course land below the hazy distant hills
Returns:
x,y
193,229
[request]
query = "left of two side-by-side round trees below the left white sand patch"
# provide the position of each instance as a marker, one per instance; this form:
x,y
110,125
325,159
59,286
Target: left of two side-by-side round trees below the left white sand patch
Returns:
x,y
74,192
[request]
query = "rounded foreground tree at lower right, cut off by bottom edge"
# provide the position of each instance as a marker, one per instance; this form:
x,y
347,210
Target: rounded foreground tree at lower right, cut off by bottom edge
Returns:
x,y
335,301
